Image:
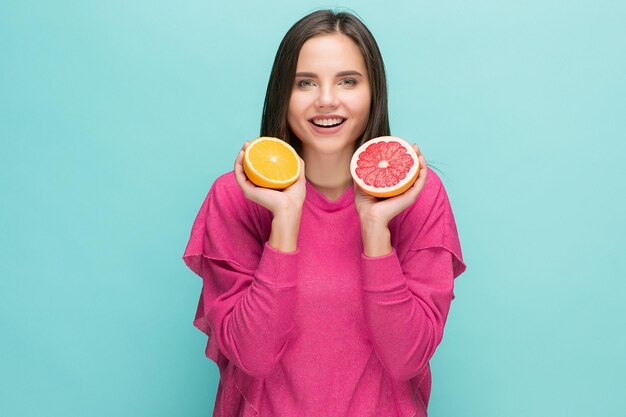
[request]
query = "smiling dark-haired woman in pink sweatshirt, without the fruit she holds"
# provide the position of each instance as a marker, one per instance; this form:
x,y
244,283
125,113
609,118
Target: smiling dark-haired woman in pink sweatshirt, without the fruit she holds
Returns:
x,y
319,300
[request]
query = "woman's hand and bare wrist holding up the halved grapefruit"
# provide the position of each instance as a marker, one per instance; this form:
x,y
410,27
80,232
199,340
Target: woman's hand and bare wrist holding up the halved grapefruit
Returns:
x,y
375,214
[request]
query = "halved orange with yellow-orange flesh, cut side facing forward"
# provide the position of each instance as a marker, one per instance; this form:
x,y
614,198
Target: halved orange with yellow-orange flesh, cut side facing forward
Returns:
x,y
271,163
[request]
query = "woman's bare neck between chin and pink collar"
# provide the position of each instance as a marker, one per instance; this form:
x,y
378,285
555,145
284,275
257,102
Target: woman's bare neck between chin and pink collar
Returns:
x,y
329,174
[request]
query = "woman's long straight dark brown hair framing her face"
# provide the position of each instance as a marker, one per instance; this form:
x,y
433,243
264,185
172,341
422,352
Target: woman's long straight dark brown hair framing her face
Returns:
x,y
274,120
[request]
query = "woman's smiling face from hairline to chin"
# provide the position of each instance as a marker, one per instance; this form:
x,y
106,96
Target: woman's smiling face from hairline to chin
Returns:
x,y
331,96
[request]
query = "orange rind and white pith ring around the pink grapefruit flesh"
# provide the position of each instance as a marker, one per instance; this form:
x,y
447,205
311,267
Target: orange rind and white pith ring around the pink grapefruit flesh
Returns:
x,y
402,185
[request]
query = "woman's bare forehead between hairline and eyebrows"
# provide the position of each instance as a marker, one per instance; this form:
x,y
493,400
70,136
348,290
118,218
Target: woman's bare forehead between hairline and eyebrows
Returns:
x,y
330,52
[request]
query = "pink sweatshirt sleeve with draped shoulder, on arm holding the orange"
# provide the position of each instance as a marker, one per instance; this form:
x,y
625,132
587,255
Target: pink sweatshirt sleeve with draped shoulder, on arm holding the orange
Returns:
x,y
248,292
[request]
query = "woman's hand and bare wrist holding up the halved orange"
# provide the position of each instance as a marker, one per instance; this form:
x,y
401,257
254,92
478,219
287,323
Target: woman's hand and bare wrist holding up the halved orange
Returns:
x,y
285,205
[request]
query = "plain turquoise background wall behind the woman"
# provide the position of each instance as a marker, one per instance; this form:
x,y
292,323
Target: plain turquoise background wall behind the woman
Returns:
x,y
116,116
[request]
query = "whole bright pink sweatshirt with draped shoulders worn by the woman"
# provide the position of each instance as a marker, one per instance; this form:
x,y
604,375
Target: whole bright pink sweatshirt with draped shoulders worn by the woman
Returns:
x,y
324,331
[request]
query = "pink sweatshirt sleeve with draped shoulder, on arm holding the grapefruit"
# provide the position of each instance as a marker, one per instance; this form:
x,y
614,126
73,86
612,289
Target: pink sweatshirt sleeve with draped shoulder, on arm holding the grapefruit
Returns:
x,y
407,293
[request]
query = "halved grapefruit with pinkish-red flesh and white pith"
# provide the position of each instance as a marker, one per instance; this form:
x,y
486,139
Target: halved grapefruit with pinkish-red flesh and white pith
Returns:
x,y
385,167
